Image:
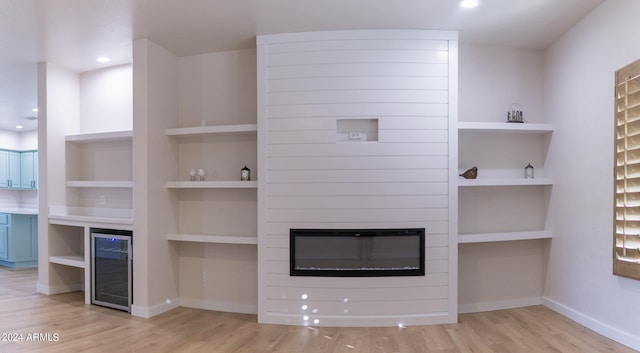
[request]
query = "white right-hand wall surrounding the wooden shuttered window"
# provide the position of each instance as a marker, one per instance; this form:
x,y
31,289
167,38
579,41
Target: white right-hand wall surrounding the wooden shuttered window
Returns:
x,y
579,86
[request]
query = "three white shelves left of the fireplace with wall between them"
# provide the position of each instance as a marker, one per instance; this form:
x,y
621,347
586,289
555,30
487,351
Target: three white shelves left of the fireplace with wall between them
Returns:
x,y
220,151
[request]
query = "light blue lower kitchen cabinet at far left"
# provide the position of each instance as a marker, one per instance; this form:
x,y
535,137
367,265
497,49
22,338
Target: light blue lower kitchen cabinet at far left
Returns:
x,y
18,240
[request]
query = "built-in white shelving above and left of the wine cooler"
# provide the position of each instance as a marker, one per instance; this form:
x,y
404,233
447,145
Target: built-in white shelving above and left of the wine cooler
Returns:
x,y
99,194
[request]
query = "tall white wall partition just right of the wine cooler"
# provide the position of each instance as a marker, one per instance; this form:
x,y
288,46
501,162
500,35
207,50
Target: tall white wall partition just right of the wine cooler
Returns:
x,y
156,109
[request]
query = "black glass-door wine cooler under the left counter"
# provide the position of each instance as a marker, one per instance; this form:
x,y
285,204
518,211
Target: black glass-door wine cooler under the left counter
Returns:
x,y
111,266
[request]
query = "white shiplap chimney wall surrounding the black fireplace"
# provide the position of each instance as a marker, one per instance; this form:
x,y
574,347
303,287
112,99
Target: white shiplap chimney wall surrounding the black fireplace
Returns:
x,y
308,84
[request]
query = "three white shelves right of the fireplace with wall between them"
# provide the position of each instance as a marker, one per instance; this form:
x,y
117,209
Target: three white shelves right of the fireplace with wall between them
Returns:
x,y
500,204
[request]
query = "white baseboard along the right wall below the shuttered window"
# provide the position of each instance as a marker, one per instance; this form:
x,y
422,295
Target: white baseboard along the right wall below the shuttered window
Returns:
x,y
613,333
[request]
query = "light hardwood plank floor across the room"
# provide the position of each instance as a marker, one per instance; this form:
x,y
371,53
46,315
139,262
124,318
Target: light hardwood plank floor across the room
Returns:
x,y
72,326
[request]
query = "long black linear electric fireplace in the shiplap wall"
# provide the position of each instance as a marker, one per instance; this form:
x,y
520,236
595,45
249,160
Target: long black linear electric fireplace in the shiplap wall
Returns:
x,y
357,252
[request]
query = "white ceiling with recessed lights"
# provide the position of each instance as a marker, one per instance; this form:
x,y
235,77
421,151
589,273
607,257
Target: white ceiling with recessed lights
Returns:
x,y
73,33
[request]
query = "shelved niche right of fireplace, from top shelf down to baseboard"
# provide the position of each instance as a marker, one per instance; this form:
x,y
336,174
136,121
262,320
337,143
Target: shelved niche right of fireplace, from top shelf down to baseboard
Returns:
x,y
502,215
